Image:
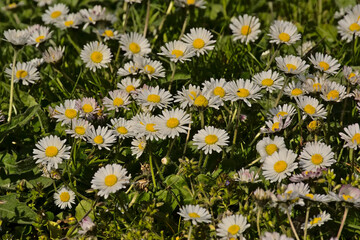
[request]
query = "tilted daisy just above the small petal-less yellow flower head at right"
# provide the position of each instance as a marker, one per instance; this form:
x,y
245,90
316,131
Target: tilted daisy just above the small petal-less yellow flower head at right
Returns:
x,y
311,107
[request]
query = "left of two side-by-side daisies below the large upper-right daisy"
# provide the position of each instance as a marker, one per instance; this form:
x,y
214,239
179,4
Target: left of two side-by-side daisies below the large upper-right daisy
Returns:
x,y
291,64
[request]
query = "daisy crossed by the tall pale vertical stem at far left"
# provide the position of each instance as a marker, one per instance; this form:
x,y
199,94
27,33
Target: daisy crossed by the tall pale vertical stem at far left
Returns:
x,y
24,72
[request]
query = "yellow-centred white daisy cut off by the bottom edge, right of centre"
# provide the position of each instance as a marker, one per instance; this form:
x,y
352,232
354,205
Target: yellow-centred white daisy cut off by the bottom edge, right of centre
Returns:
x,y
232,227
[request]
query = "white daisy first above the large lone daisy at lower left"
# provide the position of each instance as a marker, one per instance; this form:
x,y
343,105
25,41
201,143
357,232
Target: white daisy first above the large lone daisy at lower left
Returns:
x,y
102,137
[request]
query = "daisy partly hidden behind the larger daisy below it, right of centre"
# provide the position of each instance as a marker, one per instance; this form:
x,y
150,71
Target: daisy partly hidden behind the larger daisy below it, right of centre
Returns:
x,y
267,146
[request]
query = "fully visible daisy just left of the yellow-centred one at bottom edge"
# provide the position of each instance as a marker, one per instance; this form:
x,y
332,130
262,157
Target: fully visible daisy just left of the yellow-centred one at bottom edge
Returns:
x,y
195,214
